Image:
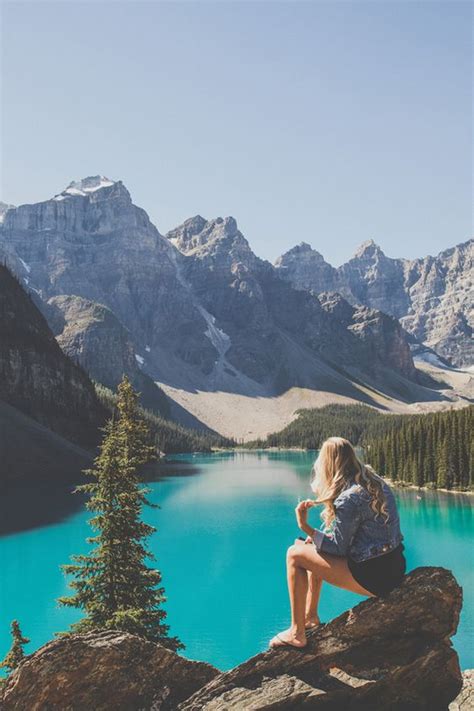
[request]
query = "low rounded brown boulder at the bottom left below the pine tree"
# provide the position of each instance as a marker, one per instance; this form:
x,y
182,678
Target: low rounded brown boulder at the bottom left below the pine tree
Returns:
x,y
102,671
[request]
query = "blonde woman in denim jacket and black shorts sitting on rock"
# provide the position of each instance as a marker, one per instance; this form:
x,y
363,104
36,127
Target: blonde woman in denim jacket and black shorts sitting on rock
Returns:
x,y
361,548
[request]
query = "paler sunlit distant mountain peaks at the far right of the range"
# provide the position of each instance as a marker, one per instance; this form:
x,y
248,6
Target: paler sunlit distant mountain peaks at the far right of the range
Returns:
x,y
432,297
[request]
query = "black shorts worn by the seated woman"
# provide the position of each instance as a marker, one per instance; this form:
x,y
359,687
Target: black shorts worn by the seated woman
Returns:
x,y
380,575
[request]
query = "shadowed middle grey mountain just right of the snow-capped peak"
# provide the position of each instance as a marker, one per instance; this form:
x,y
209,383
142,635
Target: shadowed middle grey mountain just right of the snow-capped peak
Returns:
x,y
258,311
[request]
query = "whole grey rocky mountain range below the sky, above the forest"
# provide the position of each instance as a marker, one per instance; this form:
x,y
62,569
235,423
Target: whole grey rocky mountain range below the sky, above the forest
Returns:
x,y
194,317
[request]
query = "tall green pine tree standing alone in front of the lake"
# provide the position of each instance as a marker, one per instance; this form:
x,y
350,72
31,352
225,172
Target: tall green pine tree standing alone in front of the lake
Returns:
x,y
113,584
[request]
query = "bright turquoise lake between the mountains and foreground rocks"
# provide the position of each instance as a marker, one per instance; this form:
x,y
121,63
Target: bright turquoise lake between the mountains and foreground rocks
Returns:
x,y
224,525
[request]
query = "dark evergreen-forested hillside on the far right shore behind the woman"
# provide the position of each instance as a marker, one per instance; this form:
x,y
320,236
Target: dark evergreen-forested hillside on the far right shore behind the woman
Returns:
x,y
435,448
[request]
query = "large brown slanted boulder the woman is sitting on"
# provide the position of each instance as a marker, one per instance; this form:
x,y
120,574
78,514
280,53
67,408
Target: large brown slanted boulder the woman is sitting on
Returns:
x,y
390,653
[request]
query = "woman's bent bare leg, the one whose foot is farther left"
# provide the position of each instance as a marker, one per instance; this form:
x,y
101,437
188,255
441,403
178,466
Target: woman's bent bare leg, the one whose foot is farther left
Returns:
x,y
302,559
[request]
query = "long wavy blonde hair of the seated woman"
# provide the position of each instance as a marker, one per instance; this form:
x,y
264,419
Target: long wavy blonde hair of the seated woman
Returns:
x,y
336,467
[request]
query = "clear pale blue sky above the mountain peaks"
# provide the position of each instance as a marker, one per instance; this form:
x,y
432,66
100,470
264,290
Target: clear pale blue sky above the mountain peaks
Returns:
x,y
329,122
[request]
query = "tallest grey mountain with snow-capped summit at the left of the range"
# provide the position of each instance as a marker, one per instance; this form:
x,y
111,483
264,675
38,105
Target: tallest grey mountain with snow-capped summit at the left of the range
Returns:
x,y
91,241
